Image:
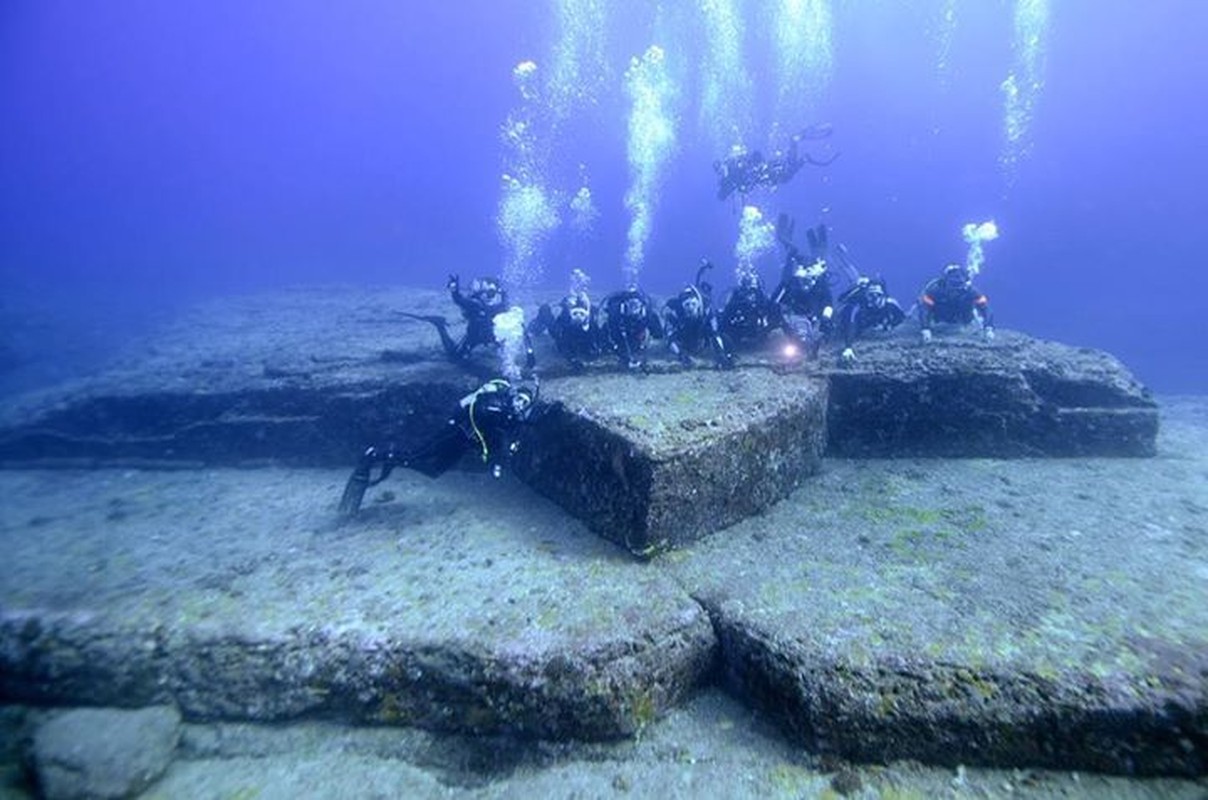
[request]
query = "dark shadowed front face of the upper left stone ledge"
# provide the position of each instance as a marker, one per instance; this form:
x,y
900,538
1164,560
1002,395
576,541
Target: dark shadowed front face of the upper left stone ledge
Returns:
x,y
295,426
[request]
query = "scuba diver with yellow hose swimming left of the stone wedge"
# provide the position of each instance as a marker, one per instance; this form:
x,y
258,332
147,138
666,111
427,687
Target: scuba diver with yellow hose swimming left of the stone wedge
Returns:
x,y
486,421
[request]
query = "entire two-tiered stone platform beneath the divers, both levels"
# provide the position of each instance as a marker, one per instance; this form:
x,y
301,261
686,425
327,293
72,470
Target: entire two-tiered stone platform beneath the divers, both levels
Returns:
x,y
1001,612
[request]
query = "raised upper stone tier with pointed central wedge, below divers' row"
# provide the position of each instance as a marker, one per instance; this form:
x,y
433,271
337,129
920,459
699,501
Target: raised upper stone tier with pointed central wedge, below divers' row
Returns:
x,y
649,461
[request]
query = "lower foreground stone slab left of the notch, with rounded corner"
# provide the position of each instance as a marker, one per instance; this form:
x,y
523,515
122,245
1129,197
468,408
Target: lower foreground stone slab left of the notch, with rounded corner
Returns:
x,y
240,596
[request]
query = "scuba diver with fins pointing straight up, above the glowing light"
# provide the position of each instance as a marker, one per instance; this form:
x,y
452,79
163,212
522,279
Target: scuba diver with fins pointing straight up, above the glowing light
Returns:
x,y
805,291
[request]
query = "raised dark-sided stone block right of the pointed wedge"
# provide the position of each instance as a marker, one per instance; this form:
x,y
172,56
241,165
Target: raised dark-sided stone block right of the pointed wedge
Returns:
x,y
961,397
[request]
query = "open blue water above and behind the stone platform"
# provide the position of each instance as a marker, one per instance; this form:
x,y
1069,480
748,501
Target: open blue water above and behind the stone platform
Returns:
x,y
154,154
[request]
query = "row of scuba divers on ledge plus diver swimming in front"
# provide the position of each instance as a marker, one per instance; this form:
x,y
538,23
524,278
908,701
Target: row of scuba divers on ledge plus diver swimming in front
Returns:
x,y
803,309
